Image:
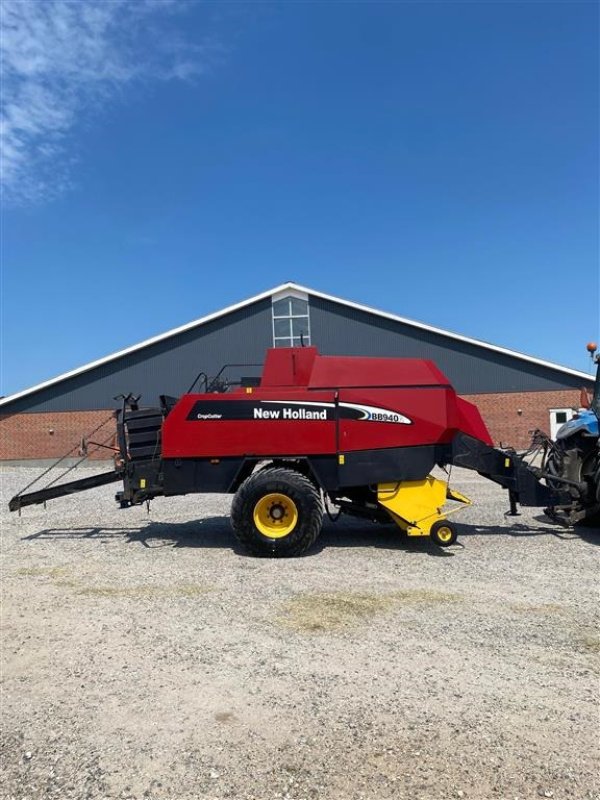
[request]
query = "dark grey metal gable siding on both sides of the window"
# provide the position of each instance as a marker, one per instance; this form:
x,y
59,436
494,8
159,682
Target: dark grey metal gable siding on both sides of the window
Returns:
x,y
170,366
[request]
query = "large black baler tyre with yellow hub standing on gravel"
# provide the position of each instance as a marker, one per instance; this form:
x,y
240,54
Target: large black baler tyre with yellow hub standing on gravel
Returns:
x,y
277,513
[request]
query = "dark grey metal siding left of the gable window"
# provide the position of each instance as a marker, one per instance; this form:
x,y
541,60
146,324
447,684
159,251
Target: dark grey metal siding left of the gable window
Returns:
x,y
168,367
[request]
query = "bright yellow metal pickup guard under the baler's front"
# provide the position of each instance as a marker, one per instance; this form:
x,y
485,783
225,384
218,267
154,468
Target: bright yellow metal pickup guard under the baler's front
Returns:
x,y
416,505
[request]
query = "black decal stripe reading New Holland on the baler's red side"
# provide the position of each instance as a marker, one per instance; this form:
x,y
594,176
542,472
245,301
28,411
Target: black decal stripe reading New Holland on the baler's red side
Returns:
x,y
293,410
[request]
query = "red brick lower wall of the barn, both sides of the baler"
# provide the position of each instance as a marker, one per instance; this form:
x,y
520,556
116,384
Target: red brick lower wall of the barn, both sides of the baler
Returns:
x,y
509,418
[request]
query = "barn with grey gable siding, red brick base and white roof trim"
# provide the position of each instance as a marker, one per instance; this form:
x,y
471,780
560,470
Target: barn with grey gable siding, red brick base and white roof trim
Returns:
x,y
514,392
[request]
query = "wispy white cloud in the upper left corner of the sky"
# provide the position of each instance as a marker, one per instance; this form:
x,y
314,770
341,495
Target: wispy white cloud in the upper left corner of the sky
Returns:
x,y
60,60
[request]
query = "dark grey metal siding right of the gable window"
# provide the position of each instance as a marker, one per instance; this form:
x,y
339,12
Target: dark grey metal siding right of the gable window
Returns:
x,y
340,330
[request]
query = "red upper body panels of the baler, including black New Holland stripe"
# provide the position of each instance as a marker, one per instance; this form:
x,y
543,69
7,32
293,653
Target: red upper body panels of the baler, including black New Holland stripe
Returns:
x,y
308,404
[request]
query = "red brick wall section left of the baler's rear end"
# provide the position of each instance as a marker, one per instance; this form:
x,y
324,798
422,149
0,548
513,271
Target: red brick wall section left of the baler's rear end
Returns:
x,y
52,434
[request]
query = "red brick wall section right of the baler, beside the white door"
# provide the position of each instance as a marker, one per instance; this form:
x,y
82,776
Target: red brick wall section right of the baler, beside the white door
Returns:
x,y
510,417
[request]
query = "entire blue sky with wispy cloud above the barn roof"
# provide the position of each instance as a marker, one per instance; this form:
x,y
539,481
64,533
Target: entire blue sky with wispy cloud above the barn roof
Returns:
x,y
163,160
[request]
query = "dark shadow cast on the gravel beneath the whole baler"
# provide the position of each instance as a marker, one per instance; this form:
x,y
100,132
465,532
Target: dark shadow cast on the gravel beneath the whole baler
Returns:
x,y
215,532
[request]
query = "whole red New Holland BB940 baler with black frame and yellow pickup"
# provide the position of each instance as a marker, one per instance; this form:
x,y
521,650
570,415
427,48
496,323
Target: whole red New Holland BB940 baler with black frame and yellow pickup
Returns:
x,y
360,436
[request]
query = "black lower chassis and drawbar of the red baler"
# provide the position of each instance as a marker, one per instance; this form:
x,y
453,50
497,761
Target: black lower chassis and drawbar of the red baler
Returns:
x,y
354,477
